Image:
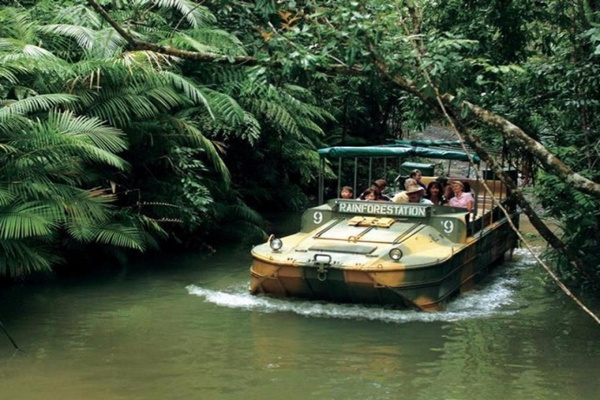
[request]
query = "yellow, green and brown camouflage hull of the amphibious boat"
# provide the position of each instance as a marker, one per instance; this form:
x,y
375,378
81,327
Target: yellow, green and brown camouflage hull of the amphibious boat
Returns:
x,y
433,269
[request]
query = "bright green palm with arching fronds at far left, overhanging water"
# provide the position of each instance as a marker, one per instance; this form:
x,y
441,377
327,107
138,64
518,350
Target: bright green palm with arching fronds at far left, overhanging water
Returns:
x,y
44,202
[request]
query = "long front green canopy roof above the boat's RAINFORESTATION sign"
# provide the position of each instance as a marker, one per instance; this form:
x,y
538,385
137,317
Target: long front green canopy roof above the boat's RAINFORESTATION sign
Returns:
x,y
403,151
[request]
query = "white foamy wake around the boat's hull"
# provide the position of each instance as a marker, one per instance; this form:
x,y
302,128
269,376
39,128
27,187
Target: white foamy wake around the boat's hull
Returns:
x,y
495,299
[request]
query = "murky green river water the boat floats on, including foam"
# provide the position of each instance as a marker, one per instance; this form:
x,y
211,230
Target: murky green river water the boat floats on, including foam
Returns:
x,y
184,327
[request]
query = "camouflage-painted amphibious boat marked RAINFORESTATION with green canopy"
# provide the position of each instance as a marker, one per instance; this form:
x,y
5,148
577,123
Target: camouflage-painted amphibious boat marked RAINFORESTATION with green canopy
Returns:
x,y
403,255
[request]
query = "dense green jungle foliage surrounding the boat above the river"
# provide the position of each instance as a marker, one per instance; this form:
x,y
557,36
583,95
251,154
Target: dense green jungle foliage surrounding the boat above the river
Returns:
x,y
127,126
